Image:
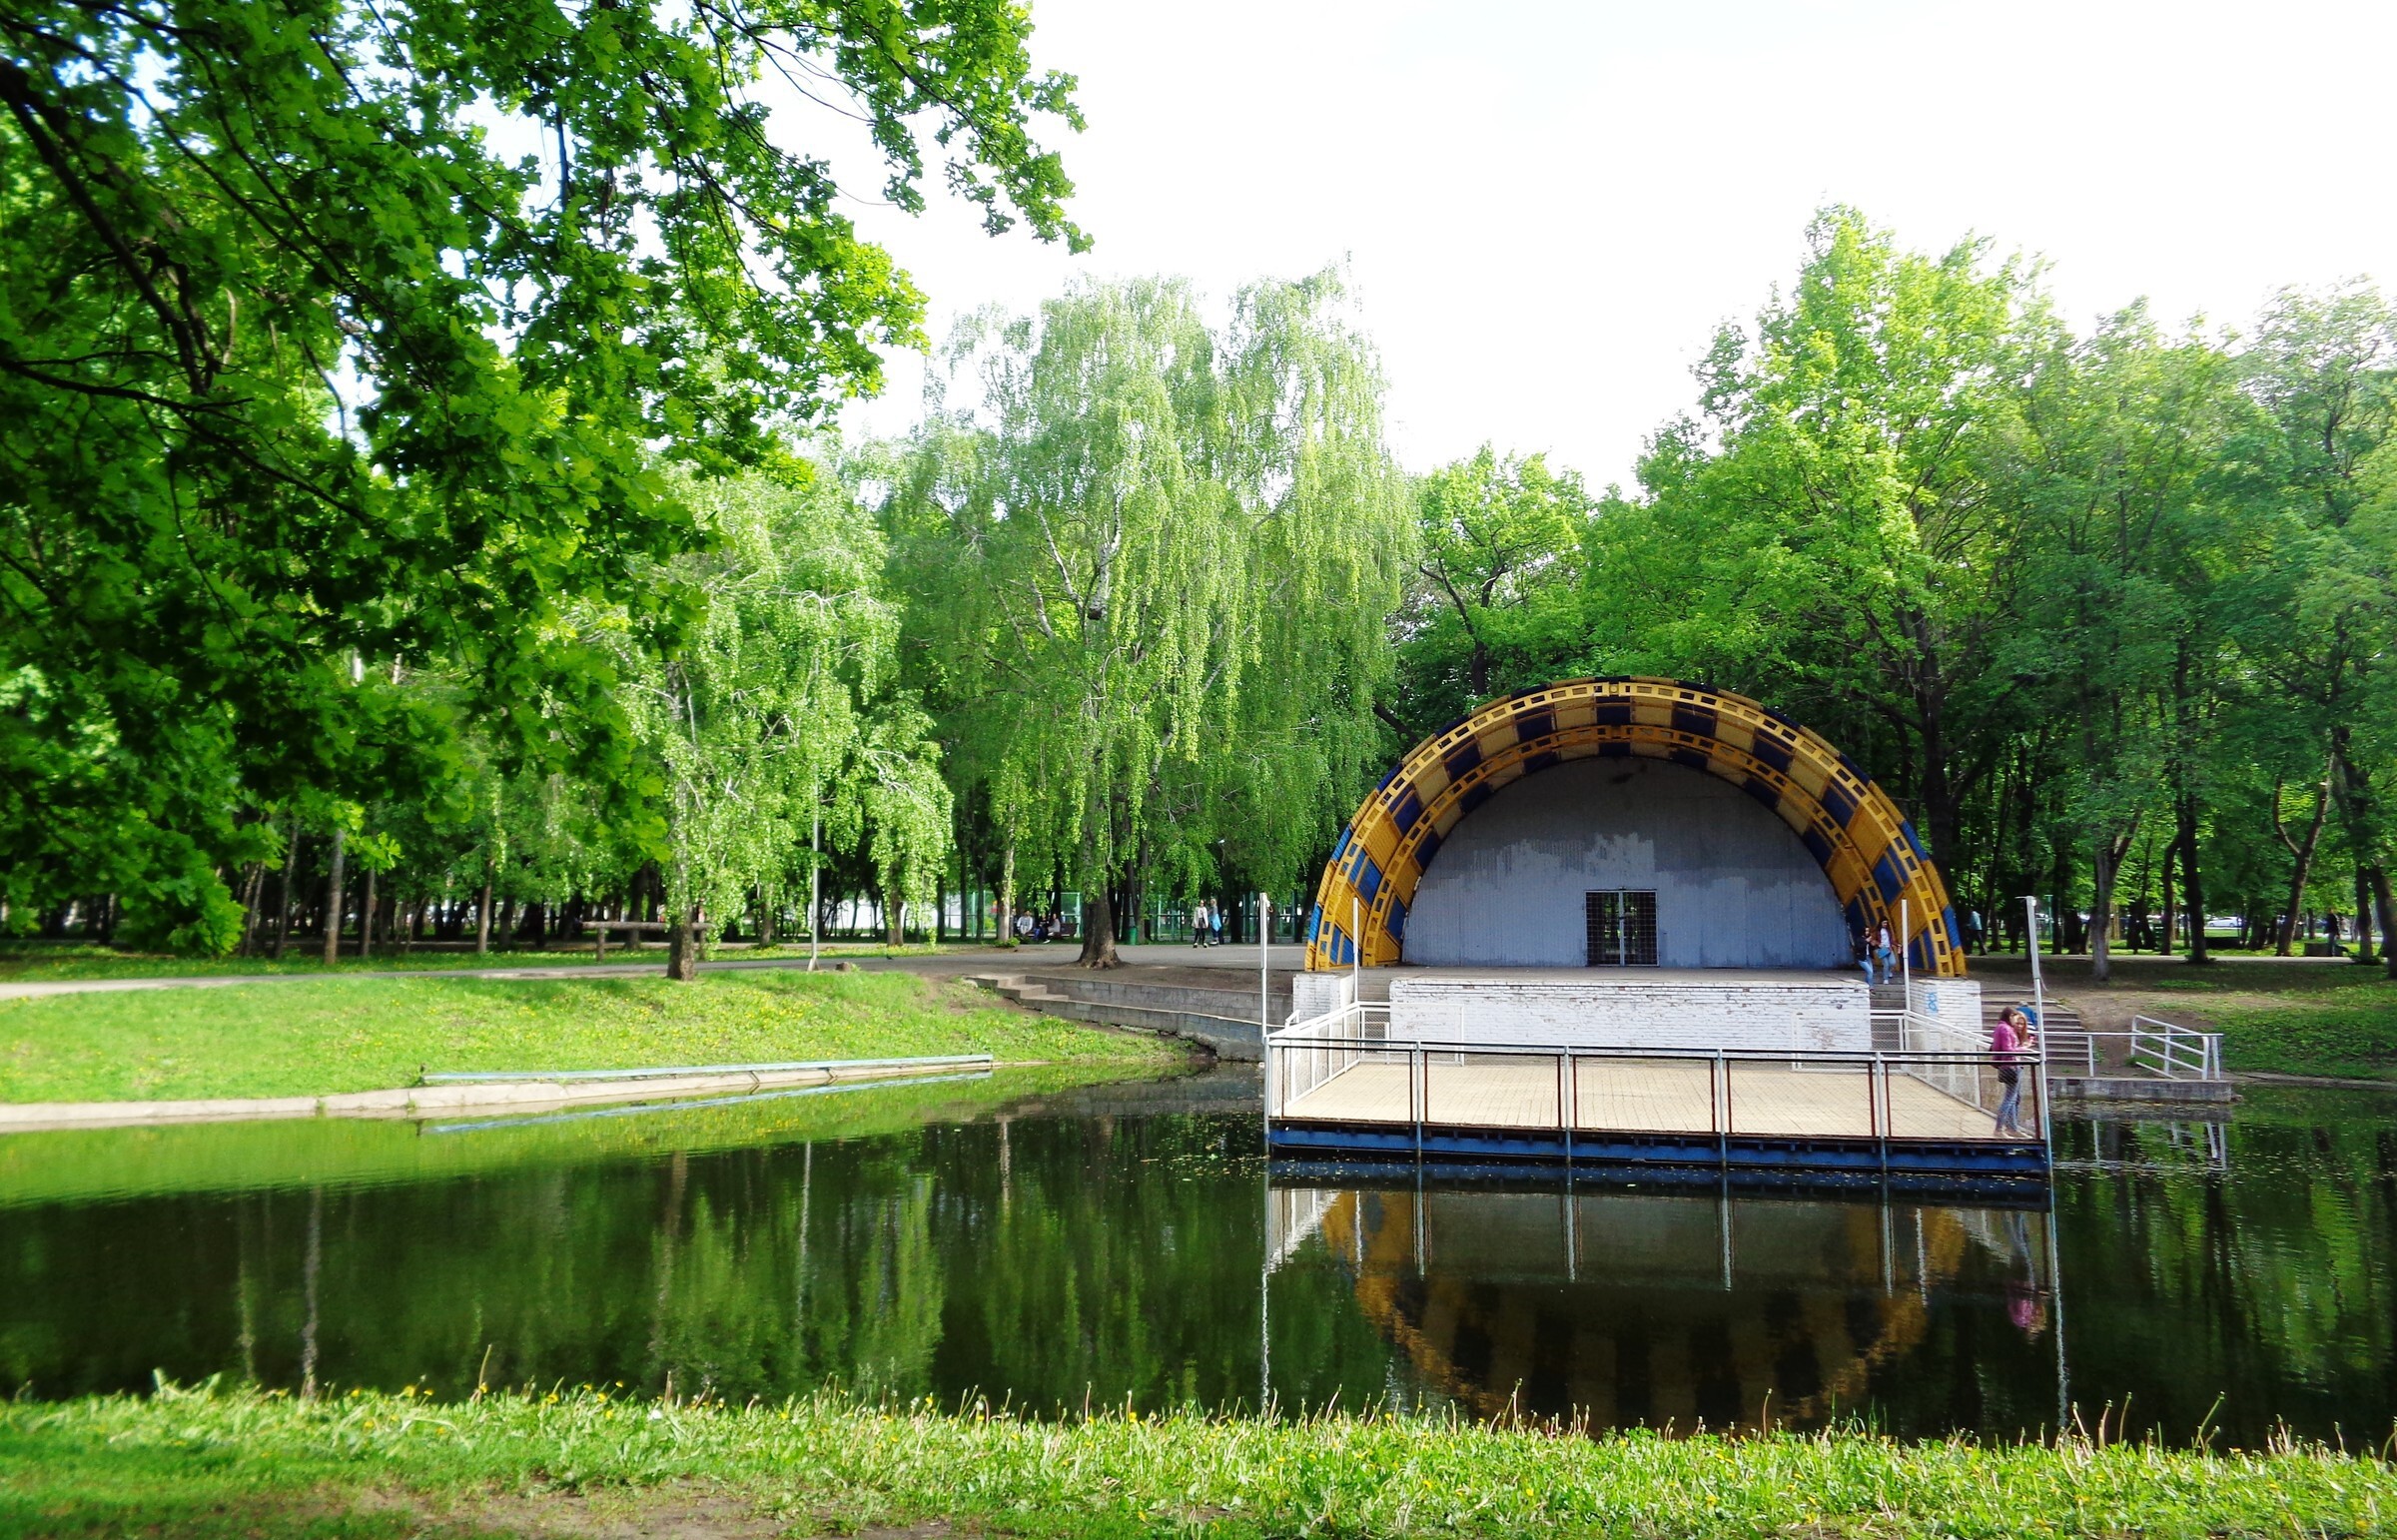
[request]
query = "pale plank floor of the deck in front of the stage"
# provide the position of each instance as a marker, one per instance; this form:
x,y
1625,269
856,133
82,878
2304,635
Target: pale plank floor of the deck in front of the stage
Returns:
x,y
1643,1095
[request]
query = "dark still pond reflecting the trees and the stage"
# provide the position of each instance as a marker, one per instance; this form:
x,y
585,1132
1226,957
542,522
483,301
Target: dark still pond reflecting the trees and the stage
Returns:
x,y
1061,1246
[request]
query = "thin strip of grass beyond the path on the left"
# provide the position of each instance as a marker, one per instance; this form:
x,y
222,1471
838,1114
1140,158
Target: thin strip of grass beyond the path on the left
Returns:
x,y
66,961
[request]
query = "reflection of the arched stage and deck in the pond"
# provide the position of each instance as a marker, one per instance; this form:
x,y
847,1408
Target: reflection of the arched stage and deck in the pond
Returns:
x,y
1665,1311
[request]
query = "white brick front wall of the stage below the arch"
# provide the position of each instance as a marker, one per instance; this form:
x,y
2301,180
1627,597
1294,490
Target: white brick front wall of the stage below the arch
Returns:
x,y
1648,1009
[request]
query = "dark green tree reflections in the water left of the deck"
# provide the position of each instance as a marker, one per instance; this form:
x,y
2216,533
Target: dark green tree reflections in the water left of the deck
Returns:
x,y
1106,1258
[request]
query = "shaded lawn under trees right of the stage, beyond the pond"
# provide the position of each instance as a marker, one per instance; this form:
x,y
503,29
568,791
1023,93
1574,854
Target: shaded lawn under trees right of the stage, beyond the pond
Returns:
x,y
2276,1016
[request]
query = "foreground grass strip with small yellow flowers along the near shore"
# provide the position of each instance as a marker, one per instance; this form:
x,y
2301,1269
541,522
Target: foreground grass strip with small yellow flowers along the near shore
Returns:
x,y
246,1464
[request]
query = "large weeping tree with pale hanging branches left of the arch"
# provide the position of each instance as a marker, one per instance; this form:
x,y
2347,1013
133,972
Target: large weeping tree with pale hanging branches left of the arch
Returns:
x,y
1149,570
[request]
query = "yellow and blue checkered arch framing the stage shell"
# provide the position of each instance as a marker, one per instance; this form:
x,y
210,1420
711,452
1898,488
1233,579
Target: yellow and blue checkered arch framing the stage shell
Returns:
x,y
1866,848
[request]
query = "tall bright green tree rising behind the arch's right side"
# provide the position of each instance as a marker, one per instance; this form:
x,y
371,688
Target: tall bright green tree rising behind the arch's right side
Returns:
x,y
1833,529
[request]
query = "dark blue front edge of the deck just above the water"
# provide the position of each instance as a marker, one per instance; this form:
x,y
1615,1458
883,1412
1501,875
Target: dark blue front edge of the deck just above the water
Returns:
x,y
1864,1160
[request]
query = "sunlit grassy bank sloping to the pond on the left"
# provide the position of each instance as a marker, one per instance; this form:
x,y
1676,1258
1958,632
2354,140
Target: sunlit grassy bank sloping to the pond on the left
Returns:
x,y
358,1035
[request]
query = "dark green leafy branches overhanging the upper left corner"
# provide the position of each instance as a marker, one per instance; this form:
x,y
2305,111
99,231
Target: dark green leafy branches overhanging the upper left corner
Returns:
x,y
337,349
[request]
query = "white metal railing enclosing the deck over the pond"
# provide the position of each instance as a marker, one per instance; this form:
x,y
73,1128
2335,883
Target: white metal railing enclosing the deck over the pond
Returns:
x,y
1646,1090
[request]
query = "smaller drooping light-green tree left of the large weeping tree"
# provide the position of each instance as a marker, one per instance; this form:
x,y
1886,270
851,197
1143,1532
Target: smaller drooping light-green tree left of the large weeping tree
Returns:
x,y
780,718
